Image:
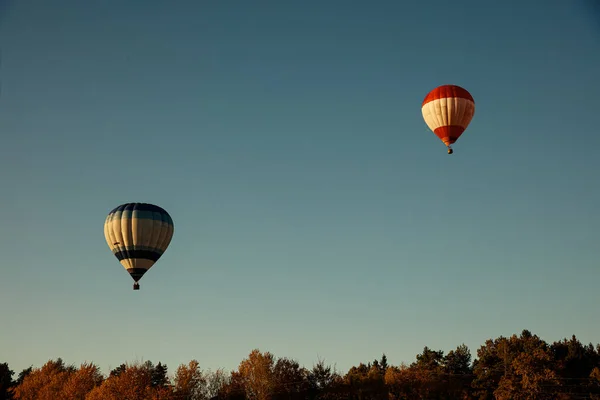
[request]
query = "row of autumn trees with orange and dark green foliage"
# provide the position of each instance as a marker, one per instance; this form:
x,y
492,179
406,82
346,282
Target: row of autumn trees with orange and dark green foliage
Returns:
x,y
518,368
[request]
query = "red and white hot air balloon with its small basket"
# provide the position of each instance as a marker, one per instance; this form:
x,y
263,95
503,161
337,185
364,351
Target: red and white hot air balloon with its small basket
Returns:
x,y
447,111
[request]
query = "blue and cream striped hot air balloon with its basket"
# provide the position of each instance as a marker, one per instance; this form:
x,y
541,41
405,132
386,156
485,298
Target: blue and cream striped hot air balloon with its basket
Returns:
x,y
138,234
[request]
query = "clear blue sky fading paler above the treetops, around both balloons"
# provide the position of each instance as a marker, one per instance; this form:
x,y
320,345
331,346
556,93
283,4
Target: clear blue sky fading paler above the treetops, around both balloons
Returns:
x,y
315,214
